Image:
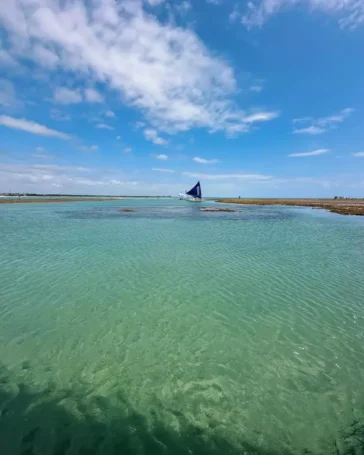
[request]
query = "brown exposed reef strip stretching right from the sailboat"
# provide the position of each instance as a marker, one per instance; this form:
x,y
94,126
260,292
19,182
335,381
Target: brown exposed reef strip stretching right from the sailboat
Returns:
x,y
340,206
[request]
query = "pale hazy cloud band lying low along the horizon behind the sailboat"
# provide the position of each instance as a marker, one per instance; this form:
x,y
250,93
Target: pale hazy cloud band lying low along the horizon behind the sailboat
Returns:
x,y
43,178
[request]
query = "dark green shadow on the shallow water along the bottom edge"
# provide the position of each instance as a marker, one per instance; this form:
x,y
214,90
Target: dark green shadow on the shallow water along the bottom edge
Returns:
x,y
39,423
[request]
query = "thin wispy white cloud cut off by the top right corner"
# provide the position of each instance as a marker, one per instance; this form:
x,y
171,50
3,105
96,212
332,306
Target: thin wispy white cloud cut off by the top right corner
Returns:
x,y
350,13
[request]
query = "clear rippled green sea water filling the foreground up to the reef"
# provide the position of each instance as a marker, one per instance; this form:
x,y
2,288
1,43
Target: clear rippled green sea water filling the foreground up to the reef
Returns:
x,y
172,331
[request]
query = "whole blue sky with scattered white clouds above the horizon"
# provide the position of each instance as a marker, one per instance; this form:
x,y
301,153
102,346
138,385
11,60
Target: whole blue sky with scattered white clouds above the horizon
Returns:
x,y
260,98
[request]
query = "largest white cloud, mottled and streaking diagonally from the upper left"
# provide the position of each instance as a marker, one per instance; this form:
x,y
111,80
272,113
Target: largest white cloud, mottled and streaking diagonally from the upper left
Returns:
x,y
167,73
